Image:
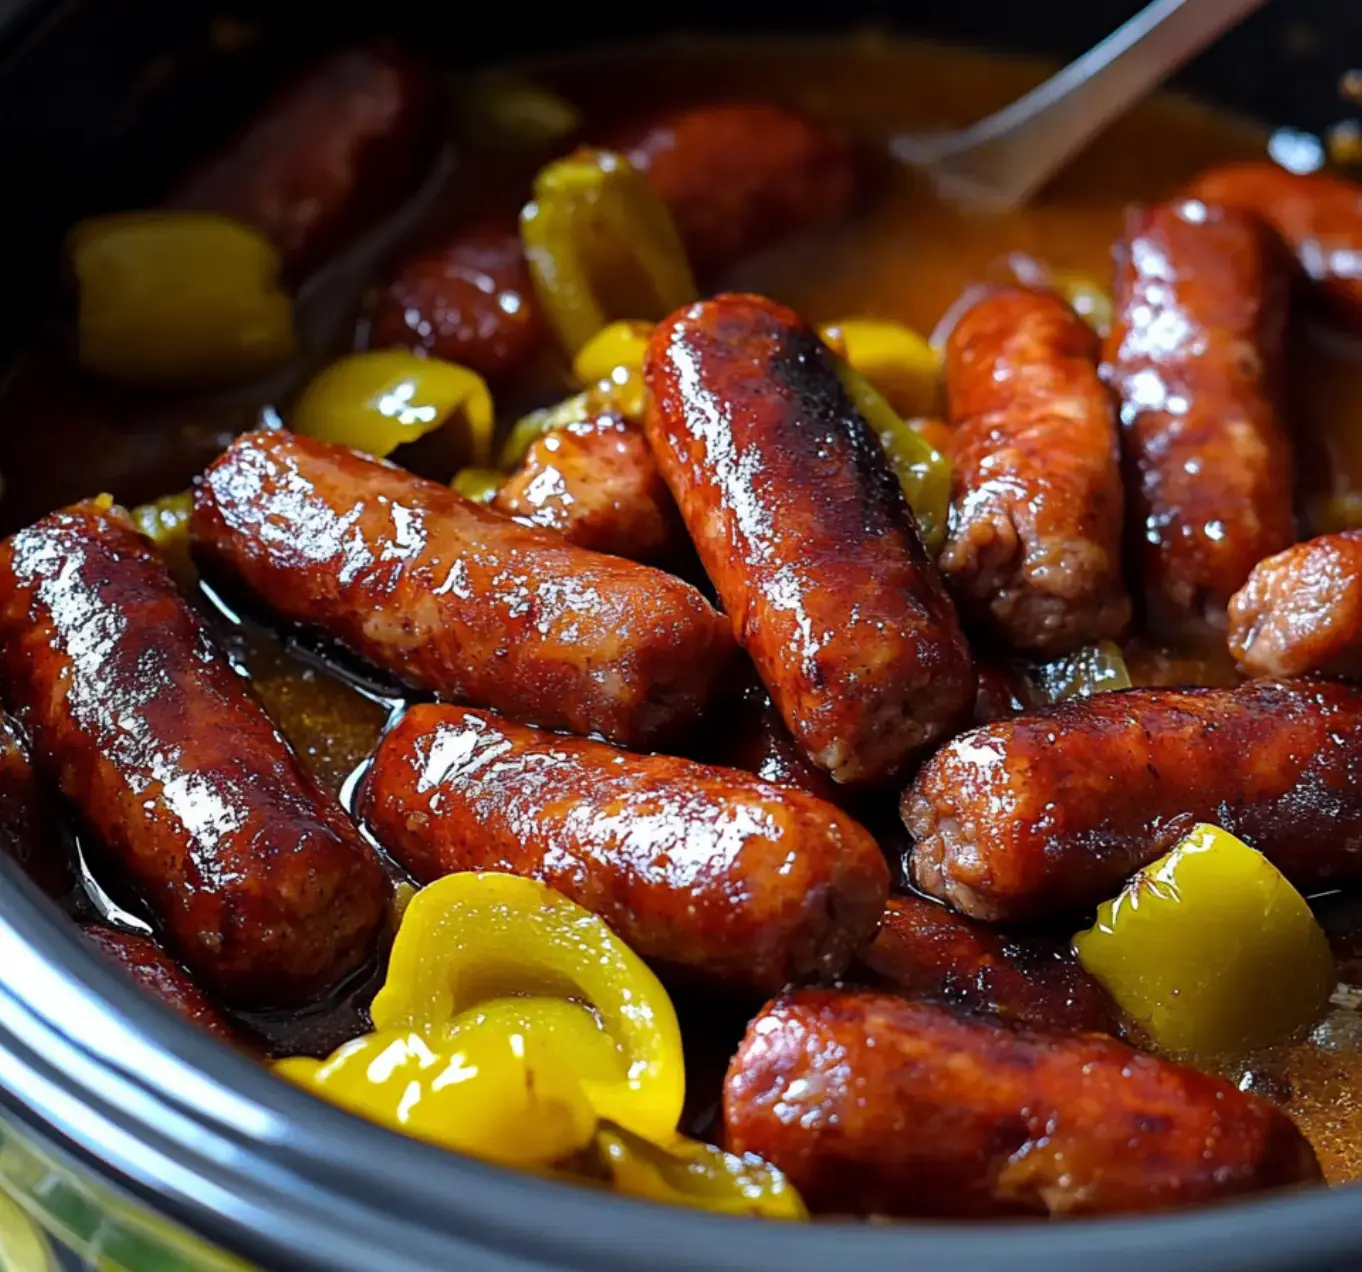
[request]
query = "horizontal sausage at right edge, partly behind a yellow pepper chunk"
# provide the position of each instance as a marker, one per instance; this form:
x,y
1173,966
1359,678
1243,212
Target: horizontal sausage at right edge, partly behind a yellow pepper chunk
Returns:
x,y
1051,812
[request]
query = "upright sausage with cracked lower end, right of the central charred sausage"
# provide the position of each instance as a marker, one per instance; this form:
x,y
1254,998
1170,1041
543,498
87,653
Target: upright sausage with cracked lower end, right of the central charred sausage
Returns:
x,y
1034,547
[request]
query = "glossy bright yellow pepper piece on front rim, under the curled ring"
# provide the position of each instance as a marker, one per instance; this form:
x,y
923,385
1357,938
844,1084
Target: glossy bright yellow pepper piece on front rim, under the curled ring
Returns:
x,y
496,1096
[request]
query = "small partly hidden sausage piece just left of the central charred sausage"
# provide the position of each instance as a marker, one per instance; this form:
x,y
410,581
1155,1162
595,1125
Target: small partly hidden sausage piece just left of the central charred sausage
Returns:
x,y
597,484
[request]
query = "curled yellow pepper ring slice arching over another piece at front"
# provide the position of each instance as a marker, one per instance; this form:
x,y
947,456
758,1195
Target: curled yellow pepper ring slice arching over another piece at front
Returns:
x,y
475,938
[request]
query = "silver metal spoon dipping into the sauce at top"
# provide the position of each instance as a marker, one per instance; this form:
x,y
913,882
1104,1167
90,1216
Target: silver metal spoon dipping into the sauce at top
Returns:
x,y
1007,157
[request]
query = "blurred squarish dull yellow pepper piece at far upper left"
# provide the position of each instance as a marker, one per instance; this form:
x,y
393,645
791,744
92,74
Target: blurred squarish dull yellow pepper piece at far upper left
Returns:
x,y
178,300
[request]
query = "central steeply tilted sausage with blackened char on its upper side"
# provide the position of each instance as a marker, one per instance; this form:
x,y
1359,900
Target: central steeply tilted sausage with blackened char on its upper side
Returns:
x,y
806,536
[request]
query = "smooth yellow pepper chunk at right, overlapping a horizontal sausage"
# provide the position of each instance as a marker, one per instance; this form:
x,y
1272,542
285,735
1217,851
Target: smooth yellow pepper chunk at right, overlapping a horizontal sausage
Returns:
x,y
1210,950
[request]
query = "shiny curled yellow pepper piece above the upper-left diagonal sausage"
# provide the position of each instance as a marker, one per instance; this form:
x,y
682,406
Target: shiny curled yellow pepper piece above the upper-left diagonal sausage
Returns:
x,y
378,401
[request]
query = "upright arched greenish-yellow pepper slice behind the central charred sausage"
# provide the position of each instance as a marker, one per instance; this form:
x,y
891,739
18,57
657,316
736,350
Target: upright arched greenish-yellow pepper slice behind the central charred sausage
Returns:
x,y
596,235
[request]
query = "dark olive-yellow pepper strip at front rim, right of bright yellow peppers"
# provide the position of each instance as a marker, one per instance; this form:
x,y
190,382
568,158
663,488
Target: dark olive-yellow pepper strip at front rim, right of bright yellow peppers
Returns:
x,y
687,1172
